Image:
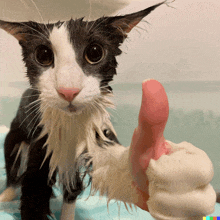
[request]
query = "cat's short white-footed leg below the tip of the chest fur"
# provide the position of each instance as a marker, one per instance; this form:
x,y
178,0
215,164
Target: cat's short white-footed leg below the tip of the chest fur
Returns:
x,y
69,199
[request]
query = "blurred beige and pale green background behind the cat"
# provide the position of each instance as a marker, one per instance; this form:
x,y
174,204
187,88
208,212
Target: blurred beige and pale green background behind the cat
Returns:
x,y
179,46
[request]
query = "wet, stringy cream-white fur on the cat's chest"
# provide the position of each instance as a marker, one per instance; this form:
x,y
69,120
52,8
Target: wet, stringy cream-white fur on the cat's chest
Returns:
x,y
71,135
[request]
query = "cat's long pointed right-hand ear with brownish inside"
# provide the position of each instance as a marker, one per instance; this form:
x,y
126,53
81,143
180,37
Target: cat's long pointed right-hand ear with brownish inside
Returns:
x,y
127,22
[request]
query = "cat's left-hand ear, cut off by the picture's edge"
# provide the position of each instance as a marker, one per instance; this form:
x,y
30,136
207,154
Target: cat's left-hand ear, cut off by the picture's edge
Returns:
x,y
13,28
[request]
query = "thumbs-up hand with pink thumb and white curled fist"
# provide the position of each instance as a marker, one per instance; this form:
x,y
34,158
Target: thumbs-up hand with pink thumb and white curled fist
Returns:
x,y
184,169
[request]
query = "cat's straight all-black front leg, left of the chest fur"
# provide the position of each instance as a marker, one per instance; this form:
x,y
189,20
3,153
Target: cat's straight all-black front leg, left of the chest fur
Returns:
x,y
36,188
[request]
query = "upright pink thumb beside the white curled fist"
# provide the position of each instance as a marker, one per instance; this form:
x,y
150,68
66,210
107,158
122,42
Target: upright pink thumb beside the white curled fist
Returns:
x,y
148,141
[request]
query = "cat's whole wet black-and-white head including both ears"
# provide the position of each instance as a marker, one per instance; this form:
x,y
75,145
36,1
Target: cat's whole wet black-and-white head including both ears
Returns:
x,y
72,62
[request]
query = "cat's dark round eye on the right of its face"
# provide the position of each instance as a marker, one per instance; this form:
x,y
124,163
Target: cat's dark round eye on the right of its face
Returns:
x,y
94,53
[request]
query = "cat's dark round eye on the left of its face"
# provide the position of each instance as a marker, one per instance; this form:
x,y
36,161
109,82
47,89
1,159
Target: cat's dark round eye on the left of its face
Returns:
x,y
44,55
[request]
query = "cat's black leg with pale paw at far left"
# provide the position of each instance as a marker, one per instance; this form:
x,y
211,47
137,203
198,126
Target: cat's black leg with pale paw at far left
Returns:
x,y
12,164
